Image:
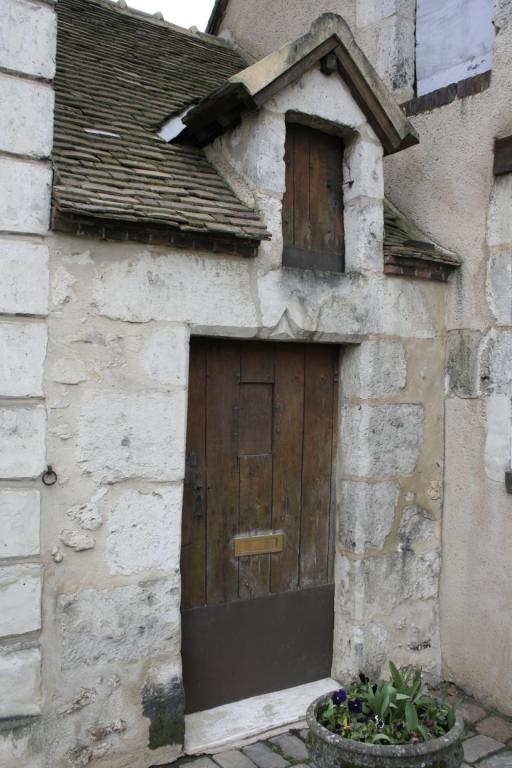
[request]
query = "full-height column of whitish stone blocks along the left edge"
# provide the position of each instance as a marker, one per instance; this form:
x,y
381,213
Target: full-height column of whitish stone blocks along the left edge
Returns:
x,y
27,65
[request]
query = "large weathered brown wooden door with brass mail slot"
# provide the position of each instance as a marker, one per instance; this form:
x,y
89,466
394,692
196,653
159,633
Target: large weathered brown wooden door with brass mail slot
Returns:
x,y
260,449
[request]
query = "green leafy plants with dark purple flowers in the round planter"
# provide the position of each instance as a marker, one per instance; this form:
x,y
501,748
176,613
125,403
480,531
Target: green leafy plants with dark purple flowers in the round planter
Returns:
x,y
394,711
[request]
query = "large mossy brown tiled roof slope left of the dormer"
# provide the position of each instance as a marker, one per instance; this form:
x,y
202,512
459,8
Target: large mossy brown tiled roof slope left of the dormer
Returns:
x,y
123,73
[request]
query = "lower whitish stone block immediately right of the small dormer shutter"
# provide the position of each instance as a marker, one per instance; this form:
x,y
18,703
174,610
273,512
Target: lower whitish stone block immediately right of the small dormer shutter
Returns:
x,y
364,232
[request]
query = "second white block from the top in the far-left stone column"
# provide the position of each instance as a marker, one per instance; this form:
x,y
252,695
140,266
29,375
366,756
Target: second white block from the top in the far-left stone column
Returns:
x,y
26,124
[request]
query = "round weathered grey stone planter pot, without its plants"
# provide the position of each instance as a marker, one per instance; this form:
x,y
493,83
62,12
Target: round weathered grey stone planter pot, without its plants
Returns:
x,y
328,750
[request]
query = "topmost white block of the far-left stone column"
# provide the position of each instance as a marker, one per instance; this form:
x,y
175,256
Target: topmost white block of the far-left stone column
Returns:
x,y
28,37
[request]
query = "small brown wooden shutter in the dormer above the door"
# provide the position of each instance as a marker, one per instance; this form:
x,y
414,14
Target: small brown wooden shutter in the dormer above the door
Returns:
x,y
313,200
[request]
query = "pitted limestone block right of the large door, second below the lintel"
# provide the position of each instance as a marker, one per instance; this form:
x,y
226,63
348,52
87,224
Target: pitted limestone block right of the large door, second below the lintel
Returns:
x,y
381,440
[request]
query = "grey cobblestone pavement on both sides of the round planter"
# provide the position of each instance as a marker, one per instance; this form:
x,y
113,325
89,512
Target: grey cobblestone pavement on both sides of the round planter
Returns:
x,y
487,744
